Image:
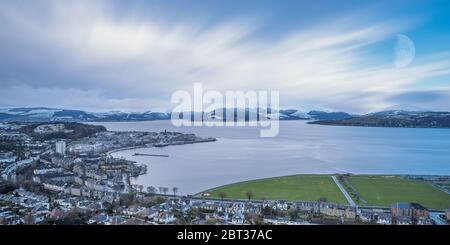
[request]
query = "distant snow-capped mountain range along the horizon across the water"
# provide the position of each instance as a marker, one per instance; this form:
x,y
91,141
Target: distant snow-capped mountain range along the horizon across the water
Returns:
x,y
387,118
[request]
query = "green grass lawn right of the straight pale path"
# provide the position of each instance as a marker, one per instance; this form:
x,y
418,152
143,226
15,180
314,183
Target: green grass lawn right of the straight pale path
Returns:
x,y
386,190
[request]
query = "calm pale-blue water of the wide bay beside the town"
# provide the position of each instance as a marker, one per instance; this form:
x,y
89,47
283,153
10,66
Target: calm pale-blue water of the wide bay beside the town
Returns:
x,y
239,154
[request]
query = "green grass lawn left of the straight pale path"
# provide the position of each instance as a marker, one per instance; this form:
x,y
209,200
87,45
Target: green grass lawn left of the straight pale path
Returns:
x,y
296,187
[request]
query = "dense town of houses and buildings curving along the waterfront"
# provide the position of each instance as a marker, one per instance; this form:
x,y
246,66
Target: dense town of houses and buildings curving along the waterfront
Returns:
x,y
63,173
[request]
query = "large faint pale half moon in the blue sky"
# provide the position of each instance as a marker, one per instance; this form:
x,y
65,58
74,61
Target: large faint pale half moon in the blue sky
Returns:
x,y
404,51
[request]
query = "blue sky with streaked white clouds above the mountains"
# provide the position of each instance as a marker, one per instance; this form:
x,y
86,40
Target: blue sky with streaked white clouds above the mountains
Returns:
x,y
133,55
